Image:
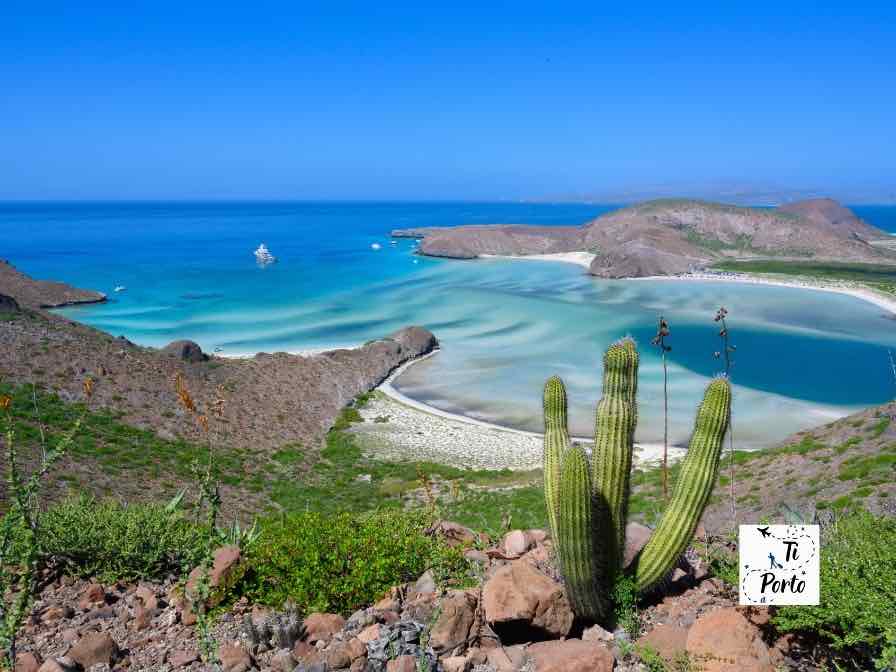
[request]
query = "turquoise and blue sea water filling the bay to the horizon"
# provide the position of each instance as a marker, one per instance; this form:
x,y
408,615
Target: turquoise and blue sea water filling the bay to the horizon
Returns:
x,y
803,357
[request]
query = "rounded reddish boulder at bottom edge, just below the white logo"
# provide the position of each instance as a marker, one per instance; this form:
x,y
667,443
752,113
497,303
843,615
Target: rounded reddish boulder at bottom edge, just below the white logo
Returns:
x,y
725,641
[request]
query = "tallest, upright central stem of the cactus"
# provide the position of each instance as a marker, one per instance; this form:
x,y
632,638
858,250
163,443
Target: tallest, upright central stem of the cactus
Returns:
x,y
613,446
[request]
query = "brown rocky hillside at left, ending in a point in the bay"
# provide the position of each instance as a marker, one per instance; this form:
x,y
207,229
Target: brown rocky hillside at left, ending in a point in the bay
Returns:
x,y
269,400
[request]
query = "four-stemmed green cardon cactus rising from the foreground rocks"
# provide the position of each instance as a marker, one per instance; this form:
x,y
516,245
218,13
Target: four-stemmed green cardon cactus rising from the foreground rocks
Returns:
x,y
587,504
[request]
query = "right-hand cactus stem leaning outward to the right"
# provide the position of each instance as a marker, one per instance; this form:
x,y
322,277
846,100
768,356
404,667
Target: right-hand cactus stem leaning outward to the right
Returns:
x,y
692,490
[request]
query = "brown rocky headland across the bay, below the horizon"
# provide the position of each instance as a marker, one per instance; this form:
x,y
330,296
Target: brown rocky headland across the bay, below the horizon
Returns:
x,y
672,236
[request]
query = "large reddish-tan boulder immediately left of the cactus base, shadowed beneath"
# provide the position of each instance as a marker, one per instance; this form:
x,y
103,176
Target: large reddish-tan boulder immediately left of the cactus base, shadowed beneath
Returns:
x,y
518,599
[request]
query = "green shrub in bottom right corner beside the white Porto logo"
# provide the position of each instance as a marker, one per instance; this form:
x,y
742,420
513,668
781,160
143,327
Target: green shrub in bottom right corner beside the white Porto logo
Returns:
x,y
857,614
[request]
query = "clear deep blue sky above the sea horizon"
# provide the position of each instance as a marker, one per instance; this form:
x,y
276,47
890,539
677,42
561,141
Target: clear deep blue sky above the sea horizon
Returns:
x,y
382,100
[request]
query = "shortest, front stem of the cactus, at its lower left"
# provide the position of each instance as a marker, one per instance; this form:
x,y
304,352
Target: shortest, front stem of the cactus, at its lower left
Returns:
x,y
576,536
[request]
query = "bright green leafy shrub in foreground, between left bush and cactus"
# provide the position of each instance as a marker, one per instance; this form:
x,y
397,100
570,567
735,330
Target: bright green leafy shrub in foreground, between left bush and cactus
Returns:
x,y
340,562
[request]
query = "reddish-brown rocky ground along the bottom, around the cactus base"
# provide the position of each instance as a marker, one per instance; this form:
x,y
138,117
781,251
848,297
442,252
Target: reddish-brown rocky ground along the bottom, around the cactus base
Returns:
x,y
517,618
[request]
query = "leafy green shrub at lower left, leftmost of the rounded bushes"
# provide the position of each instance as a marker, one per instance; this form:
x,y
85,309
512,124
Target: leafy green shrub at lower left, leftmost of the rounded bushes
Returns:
x,y
117,542
